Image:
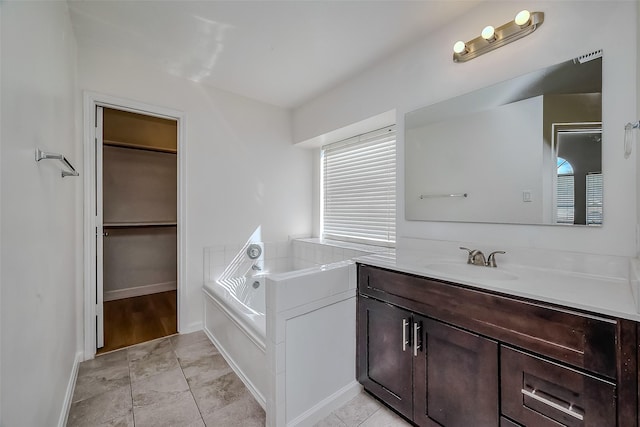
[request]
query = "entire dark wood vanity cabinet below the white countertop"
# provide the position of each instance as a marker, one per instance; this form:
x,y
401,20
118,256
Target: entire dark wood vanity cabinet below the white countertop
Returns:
x,y
442,353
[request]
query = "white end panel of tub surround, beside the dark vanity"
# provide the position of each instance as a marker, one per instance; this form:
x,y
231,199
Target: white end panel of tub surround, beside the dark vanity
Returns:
x,y
306,313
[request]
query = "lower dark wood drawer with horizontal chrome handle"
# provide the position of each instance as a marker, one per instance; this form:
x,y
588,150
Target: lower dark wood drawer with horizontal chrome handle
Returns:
x,y
537,392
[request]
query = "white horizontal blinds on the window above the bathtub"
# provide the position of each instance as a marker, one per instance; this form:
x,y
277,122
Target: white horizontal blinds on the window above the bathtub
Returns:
x,y
359,189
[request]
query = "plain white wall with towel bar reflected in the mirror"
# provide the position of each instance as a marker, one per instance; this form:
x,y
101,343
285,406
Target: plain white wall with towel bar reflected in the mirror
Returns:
x,y
467,164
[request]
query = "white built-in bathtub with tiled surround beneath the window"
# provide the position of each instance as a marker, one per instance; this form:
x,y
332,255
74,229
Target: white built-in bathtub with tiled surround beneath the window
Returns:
x,y
259,313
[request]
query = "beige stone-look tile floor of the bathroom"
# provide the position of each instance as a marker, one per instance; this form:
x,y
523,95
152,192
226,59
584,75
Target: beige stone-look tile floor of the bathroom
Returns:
x,y
183,381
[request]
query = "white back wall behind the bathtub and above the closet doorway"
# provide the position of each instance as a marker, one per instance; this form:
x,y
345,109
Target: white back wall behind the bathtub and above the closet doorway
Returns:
x,y
242,170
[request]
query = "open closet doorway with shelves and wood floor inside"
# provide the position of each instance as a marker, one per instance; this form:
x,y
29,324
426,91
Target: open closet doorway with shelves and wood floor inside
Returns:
x,y
136,177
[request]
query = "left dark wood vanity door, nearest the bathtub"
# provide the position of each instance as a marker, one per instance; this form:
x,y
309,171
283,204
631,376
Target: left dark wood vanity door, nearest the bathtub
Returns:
x,y
384,353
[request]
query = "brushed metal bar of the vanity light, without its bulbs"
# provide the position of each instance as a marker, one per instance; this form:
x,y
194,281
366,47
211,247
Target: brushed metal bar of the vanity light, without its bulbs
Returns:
x,y
503,35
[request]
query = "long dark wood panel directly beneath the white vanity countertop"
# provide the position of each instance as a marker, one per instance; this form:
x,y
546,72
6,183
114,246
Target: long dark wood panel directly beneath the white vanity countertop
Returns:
x,y
584,341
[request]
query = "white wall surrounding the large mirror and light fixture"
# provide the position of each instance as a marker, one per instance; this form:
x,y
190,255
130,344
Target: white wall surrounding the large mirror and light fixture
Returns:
x,y
424,74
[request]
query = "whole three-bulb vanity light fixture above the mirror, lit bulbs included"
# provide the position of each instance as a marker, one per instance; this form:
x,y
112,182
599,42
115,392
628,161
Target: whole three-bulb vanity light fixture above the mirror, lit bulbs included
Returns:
x,y
492,38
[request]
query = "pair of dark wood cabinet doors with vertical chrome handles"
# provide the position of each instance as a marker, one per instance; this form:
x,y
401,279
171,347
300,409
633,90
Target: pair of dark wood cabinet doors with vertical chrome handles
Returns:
x,y
430,372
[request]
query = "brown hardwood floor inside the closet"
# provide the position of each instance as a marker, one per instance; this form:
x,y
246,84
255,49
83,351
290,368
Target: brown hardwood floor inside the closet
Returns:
x,y
134,320
